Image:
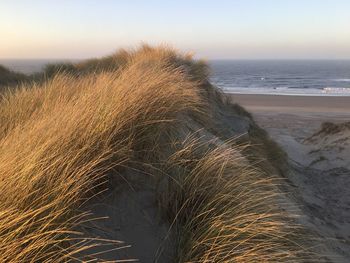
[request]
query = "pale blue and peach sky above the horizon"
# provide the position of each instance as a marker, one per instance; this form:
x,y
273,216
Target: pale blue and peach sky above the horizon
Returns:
x,y
217,29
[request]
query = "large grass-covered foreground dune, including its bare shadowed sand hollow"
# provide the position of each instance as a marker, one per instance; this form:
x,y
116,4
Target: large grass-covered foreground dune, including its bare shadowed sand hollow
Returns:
x,y
137,157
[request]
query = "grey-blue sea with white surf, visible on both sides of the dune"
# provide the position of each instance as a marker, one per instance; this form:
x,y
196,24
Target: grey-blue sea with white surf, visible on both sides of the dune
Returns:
x,y
275,77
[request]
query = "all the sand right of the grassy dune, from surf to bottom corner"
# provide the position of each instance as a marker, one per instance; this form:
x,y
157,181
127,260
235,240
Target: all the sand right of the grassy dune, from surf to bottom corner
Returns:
x,y
320,164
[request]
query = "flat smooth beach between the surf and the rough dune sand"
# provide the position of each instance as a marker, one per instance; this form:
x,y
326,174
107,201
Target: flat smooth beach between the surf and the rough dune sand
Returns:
x,y
296,116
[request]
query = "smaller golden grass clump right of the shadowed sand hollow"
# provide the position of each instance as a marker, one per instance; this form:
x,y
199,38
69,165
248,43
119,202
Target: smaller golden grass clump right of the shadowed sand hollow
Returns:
x,y
225,210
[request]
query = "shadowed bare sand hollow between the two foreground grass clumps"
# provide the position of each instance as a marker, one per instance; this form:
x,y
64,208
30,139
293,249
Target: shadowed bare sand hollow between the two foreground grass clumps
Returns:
x,y
130,213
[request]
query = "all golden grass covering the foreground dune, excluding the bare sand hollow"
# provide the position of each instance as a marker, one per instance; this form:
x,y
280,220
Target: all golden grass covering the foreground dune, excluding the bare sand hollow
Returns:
x,y
62,140
